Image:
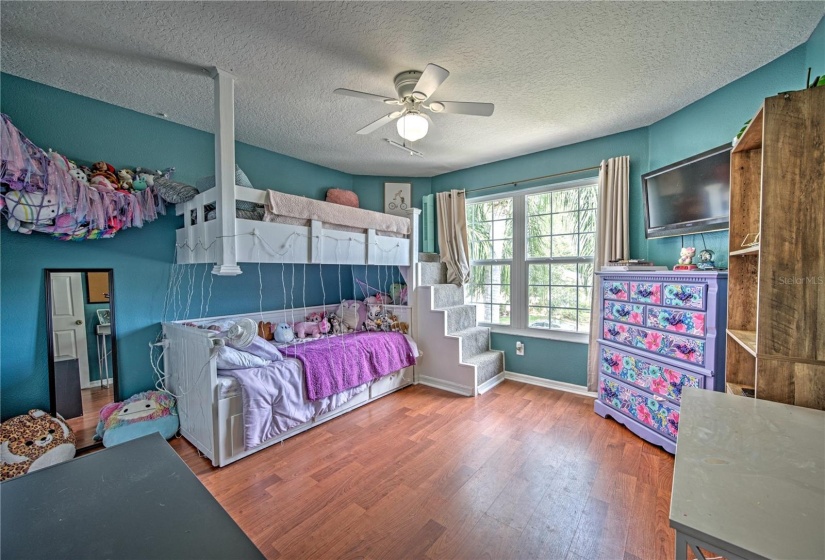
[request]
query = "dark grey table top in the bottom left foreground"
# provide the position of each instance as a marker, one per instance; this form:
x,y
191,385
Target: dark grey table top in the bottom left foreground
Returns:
x,y
136,500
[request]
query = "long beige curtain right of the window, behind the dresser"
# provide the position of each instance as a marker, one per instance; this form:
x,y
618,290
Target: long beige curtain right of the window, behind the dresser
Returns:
x,y
612,242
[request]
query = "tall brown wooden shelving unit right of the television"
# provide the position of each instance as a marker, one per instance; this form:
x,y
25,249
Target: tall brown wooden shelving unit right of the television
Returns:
x,y
775,334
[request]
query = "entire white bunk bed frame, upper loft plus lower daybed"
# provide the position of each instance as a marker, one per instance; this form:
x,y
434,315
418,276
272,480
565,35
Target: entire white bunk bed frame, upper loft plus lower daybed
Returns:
x,y
214,424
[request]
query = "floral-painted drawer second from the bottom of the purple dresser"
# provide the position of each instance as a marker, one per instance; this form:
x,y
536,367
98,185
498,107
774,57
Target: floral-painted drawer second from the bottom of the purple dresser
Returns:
x,y
641,372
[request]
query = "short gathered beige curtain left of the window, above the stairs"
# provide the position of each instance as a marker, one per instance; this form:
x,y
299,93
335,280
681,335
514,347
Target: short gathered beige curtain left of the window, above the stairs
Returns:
x,y
452,236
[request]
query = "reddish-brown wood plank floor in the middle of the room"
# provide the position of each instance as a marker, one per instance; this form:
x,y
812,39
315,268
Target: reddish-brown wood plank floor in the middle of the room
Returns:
x,y
519,472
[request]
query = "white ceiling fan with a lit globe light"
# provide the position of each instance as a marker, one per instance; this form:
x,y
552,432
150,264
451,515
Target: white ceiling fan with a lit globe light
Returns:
x,y
414,89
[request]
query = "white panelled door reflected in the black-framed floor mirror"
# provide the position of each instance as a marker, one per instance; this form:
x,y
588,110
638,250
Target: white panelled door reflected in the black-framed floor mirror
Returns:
x,y
69,322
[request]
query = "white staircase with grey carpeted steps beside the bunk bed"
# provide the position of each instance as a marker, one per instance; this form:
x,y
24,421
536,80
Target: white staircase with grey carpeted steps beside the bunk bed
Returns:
x,y
456,353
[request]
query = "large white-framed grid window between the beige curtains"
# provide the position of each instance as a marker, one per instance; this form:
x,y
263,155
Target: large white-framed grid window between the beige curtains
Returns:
x,y
542,279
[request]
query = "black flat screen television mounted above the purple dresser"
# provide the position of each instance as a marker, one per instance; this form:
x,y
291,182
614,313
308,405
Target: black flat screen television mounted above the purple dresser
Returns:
x,y
689,196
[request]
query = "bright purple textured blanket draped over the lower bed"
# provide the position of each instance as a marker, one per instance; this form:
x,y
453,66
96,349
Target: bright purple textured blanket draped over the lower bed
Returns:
x,y
334,364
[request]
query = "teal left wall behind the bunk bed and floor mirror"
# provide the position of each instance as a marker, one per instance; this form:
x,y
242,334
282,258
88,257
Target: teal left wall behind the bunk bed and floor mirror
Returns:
x,y
142,258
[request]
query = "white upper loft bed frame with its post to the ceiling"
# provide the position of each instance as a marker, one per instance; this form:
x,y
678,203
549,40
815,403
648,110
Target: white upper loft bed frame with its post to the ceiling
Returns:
x,y
228,240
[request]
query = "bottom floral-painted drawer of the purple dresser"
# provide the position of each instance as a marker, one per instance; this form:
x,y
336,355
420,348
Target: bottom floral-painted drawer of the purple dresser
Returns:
x,y
655,413
